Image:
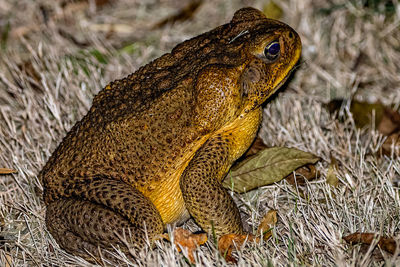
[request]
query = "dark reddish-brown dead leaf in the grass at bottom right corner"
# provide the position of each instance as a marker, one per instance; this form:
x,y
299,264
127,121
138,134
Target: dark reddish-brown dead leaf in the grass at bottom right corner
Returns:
x,y
385,243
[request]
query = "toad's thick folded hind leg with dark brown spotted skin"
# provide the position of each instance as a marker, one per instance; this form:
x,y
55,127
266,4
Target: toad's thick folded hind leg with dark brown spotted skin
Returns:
x,y
102,213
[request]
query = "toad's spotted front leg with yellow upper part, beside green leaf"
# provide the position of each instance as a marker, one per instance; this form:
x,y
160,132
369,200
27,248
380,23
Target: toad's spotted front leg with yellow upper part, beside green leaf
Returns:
x,y
206,200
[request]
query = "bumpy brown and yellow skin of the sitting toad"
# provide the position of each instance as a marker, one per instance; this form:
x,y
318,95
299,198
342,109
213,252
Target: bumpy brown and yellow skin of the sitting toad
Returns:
x,y
155,146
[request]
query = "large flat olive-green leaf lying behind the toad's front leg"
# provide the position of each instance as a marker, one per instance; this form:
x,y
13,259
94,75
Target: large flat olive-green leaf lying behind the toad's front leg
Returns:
x,y
266,167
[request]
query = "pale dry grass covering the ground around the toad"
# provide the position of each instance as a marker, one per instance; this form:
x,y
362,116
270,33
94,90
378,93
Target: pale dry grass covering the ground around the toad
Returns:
x,y
55,59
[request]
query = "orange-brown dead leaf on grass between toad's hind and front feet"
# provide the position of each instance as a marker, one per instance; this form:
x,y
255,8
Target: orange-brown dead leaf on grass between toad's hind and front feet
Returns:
x,y
187,240
